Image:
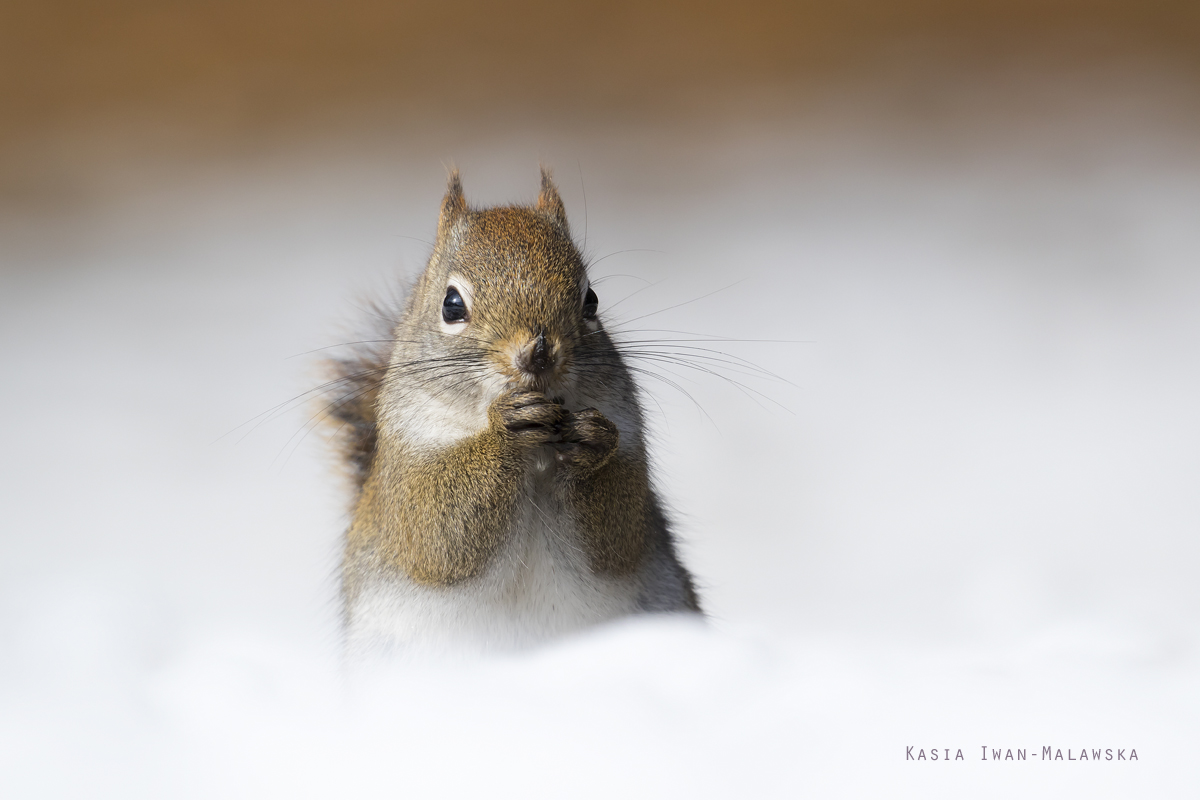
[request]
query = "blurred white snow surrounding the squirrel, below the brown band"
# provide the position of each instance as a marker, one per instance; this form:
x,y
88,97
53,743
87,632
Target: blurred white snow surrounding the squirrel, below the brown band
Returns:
x,y
969,520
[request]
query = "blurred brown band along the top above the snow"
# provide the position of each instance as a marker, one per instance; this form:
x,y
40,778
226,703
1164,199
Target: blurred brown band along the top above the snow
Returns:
x,y
83,83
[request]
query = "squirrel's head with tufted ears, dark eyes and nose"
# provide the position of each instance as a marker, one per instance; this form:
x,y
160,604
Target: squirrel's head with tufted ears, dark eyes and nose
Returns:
x,y
511,284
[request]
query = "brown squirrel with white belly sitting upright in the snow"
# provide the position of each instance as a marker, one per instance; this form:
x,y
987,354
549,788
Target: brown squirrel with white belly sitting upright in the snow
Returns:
x,y
497,452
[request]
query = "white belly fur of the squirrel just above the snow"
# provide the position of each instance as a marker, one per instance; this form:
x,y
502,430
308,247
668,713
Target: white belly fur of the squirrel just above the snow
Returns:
x,y
537,588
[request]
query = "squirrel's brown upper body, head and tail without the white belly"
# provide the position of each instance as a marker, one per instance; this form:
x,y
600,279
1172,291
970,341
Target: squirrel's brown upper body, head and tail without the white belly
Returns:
x,y
454,434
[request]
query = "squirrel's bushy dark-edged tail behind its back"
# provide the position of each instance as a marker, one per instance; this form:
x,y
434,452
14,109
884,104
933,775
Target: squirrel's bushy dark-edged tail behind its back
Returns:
x,y
350,406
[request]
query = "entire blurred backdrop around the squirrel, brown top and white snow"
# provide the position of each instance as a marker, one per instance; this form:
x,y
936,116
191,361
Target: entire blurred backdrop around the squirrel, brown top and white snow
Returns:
x,y
963,237
